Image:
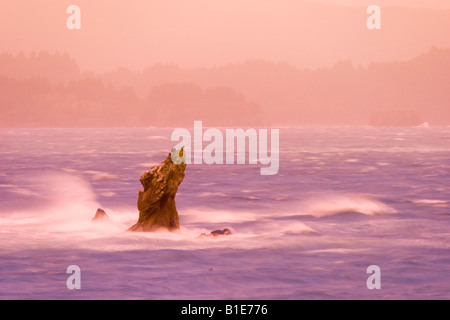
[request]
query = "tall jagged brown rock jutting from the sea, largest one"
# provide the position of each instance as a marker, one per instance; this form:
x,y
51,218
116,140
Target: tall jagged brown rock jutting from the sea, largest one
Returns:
x,y
156,203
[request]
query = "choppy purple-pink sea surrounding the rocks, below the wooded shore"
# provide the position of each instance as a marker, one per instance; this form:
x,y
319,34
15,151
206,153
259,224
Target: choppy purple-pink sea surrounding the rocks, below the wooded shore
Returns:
x,y
345,198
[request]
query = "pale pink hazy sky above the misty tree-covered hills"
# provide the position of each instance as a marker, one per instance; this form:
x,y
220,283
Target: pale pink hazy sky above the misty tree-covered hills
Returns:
x,y
206,33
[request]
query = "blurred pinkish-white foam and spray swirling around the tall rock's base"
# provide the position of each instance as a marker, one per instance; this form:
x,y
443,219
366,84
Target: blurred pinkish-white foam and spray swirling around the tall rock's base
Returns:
x,y
65,222
